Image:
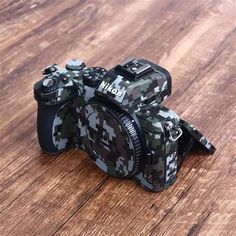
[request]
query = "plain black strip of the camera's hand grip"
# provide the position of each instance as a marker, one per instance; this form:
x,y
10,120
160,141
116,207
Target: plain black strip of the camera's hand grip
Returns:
x,y
45,119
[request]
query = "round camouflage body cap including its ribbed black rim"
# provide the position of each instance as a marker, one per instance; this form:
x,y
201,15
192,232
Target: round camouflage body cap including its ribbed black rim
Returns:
x,y
113,139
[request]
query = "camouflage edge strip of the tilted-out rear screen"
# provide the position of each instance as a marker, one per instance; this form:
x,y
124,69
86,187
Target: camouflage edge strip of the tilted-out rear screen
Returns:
x,y
201,139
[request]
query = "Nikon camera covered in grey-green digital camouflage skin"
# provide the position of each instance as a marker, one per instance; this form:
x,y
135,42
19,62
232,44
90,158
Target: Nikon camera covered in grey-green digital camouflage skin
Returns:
x,y
117,116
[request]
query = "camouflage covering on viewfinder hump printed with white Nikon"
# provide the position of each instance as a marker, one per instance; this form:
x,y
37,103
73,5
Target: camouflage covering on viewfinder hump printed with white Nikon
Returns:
x,y
131,94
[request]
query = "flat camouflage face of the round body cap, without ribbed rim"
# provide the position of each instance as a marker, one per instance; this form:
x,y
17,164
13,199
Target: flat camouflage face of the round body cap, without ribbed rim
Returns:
x,y
109,141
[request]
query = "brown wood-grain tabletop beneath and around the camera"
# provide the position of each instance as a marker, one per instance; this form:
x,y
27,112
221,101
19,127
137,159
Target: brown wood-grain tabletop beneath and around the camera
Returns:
x,y
67,194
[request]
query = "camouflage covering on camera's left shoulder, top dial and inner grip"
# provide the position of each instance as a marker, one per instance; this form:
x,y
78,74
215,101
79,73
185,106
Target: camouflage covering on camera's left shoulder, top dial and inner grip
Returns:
x,y
65,86
